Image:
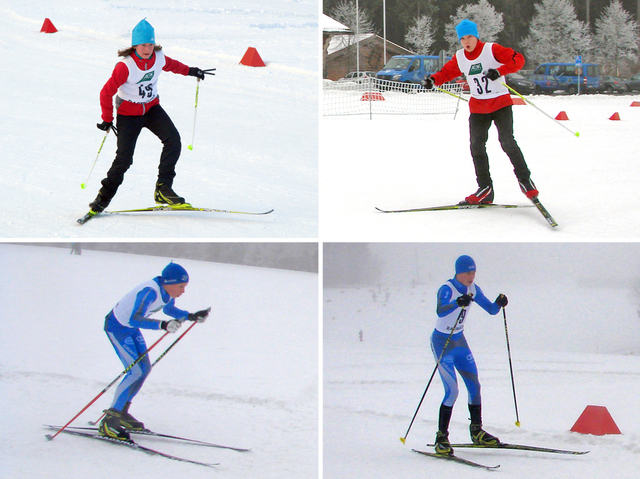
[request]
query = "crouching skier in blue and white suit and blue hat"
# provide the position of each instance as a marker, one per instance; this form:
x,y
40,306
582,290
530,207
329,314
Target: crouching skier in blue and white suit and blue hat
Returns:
x,y
123,325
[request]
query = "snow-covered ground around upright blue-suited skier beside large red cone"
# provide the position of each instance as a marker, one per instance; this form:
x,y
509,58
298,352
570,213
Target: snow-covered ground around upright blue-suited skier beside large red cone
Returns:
x,y
573,328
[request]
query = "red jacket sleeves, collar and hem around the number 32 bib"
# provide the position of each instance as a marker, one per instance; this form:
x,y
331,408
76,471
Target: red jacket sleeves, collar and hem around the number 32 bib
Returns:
x,y
511,60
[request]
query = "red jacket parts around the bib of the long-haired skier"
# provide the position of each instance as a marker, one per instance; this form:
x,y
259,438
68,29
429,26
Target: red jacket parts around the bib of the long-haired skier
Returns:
x,y
119,77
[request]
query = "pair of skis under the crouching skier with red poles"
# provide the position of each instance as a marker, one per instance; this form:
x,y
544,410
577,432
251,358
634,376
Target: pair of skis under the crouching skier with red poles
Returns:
x,y
92,433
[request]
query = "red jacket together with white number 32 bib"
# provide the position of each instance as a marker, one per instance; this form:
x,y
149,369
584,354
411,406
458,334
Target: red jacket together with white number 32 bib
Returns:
x,y
505,60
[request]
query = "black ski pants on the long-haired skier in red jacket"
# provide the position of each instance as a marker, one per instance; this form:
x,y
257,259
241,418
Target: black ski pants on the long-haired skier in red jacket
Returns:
x,y
158,122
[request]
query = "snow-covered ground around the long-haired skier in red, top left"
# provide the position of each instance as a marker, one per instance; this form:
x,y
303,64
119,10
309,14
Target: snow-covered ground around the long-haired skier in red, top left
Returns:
x,y
256,140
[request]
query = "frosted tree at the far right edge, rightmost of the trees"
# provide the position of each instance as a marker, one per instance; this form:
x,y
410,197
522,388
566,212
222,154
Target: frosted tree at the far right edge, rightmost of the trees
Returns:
x,y
616,39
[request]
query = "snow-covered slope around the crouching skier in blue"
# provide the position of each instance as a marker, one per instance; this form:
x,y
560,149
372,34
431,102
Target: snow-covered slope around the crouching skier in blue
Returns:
x,y
247,377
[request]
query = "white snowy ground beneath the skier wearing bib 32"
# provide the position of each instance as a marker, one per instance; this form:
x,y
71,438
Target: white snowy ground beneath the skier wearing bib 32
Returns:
x,y
395,162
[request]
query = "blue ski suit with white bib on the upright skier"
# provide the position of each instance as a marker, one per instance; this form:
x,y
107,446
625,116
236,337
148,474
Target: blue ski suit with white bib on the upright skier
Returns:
x,y
458,355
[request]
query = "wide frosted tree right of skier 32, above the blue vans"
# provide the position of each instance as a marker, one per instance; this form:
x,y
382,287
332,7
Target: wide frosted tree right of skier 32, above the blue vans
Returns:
x,y
556,34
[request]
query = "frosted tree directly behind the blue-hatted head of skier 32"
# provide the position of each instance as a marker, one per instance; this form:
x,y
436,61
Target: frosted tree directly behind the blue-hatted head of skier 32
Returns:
x,y
489,22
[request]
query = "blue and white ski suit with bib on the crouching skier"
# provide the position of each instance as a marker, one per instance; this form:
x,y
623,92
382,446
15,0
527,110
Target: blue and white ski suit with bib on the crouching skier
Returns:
x,y
122,326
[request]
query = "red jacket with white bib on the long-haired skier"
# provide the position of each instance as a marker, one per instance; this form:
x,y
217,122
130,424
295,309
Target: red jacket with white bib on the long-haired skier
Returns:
x,y
133,74
